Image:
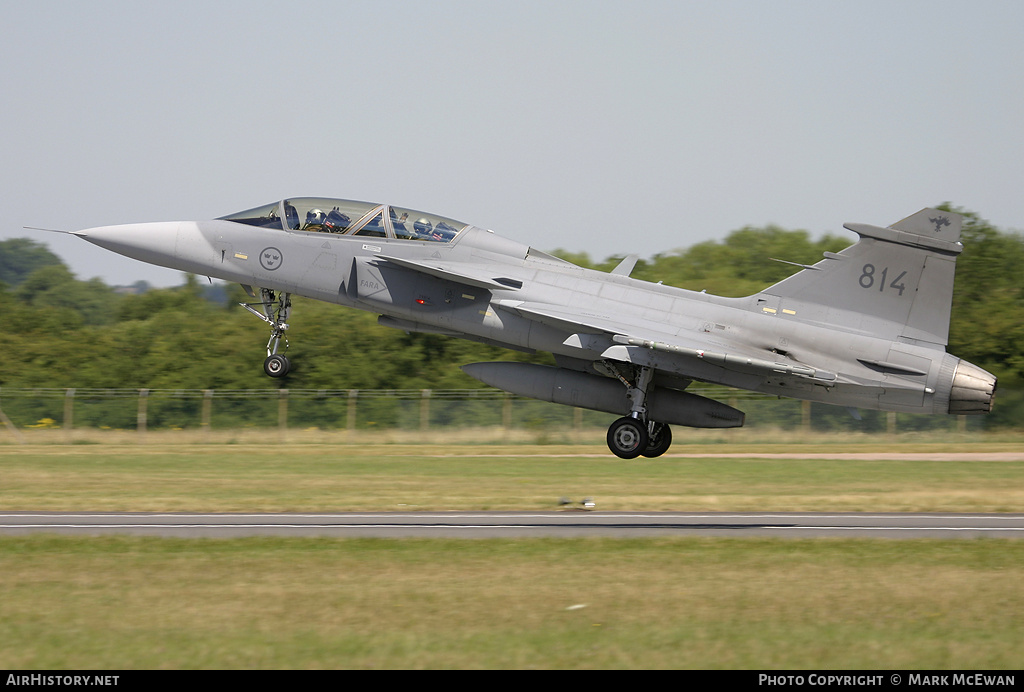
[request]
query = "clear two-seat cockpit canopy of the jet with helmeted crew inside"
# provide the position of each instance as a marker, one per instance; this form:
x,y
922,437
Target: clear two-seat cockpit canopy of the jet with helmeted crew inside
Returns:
x,y
325,215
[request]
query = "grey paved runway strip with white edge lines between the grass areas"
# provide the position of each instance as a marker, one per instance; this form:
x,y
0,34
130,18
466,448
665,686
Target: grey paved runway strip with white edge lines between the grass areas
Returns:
x,y
521,525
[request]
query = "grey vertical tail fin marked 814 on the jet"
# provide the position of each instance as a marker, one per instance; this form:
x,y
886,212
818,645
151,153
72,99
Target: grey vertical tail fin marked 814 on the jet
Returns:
x,y
894,282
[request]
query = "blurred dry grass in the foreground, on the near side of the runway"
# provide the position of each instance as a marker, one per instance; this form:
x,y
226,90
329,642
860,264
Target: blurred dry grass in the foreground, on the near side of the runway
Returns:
x,y
279,603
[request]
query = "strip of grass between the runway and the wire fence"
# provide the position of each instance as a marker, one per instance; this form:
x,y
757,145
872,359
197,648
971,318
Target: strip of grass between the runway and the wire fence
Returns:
x,y
338,478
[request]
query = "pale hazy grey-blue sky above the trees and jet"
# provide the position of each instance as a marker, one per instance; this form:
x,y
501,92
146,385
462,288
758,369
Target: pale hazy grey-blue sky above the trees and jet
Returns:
x,y
600,127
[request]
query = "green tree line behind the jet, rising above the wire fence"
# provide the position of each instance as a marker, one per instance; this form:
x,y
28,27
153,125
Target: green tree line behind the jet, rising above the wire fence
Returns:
x,y
63,332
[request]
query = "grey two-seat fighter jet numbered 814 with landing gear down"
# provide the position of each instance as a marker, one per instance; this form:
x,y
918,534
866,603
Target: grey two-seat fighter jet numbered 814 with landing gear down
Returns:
x,y
863,328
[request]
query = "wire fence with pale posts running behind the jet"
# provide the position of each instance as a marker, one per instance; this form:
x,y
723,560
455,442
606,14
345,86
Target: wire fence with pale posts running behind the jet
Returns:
x,y
409,410
